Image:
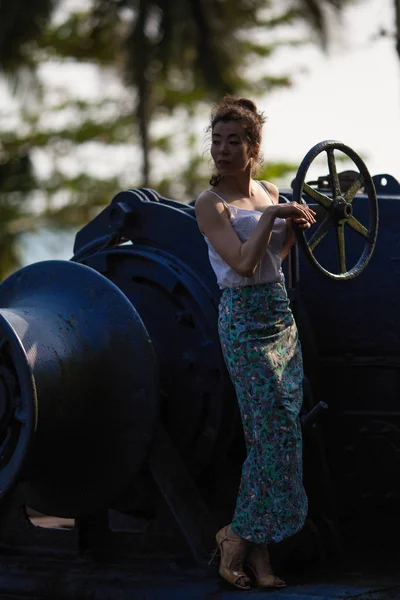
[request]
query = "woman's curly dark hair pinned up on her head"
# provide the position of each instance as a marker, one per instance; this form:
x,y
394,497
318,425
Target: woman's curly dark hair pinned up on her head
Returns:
x,y
238,109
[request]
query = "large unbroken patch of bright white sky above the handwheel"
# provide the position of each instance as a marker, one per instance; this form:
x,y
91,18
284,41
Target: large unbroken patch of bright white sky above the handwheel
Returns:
x,y
352,95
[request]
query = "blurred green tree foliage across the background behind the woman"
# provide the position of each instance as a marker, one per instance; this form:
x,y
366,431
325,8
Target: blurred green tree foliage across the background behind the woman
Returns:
x,y
173,56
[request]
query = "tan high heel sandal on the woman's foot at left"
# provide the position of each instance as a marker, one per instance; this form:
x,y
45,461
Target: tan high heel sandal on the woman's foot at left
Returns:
x,y
234,572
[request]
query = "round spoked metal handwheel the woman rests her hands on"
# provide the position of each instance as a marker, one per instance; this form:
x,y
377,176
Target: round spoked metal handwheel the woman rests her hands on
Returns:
x,y
335,211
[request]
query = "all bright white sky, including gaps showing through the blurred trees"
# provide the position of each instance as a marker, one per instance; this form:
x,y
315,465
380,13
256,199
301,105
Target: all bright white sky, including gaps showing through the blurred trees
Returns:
x,y
351,94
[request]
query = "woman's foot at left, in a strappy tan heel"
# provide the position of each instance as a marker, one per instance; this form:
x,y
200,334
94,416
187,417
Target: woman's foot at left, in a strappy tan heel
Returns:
x,y
233,550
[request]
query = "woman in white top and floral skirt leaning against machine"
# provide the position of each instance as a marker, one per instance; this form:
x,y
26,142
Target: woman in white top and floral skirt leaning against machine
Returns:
x,y
248,234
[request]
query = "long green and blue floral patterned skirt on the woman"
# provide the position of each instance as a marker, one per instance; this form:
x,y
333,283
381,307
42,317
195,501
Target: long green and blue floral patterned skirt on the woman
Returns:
x,y
262,352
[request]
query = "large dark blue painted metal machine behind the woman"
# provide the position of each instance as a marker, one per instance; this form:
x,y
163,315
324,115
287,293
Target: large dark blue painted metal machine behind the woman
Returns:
x,y
145,301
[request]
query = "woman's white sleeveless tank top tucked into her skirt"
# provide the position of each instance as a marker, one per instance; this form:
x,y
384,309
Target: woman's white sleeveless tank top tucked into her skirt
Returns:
x,y
269,269
